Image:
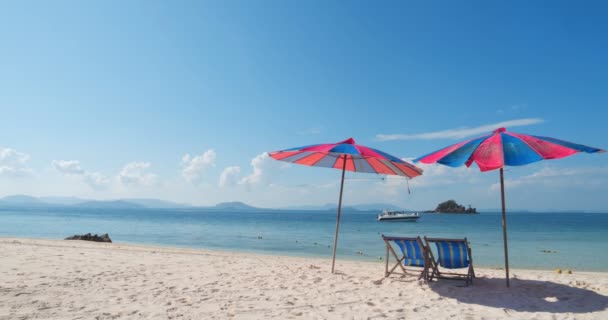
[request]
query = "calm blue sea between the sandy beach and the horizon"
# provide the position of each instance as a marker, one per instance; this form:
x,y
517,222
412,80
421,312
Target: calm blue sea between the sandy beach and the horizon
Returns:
x,y
579,239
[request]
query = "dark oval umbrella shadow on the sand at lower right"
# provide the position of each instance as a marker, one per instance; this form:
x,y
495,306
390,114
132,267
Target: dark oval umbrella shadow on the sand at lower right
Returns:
x,y
524,295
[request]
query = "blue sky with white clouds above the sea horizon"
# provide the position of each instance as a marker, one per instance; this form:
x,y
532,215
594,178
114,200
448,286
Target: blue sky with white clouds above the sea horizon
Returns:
x,y
180,100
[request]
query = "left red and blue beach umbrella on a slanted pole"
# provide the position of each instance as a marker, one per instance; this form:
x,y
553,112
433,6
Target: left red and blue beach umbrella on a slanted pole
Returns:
x,y
347,156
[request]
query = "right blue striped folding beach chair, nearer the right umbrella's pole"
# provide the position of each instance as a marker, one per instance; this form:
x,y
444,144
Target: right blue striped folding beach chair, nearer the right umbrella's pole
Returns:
x,y
451,254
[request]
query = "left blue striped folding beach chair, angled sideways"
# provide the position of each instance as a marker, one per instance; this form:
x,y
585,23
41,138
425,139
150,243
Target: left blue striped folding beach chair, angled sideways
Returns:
x,y
413,255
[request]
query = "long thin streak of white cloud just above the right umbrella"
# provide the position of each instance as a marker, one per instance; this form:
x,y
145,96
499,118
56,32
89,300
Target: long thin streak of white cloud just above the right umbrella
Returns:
x,y
460,132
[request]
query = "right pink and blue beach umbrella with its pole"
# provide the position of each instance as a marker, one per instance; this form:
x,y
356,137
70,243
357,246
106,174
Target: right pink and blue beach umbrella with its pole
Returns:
x,y
501,148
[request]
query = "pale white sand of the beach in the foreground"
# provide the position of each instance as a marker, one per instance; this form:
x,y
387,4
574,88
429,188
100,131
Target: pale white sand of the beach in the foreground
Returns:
x,y
48,279
